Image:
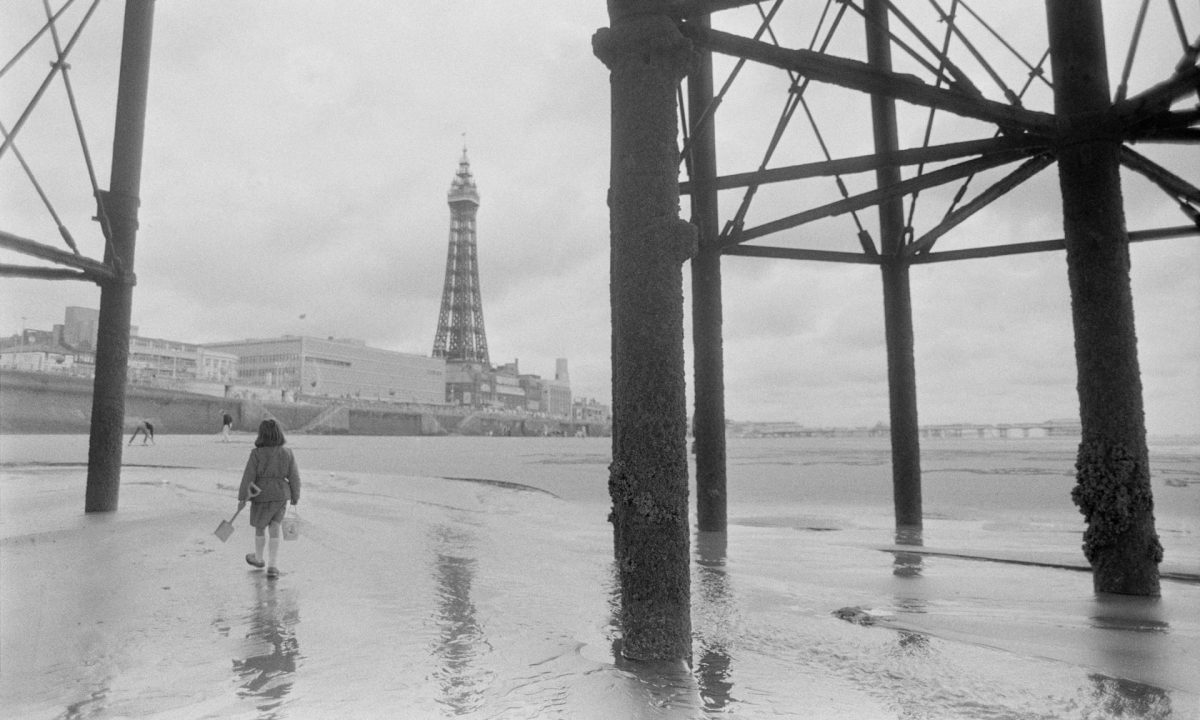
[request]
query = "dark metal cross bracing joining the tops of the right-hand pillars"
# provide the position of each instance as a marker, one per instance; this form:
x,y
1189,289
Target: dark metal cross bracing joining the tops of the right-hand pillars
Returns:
x,y
975,105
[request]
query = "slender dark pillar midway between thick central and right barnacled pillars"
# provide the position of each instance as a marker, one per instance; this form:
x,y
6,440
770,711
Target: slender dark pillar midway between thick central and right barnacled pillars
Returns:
x,y
897,295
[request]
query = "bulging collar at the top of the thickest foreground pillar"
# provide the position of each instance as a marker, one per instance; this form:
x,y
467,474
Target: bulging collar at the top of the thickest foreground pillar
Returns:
x,y
643,44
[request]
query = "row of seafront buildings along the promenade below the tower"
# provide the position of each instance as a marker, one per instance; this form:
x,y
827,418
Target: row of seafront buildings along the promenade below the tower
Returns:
x,y
298,368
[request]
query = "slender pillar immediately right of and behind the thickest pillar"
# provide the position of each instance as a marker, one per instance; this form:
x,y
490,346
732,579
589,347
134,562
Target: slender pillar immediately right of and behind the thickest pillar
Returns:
x,y
709,427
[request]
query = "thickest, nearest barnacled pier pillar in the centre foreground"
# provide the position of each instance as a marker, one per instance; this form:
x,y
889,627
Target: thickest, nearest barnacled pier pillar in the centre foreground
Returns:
x,y
647,57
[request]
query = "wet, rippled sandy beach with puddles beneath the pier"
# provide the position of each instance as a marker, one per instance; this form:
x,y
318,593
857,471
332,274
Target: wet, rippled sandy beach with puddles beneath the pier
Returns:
x,y
472,578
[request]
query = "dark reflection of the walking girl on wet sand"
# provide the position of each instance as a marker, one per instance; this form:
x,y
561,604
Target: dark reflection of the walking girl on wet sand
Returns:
x,y
268,677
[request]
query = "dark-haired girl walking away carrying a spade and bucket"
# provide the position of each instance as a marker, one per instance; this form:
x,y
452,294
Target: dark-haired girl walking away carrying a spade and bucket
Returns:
x,y
272,479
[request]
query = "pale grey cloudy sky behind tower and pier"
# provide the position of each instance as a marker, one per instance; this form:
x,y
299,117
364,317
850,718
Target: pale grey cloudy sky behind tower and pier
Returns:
x,y
297,164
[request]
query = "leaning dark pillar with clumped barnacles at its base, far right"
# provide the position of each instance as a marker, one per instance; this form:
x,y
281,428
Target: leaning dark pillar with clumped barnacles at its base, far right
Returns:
x,y
1113,467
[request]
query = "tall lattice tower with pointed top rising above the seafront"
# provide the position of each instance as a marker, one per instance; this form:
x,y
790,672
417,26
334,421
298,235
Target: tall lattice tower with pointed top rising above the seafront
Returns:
x,y
461,337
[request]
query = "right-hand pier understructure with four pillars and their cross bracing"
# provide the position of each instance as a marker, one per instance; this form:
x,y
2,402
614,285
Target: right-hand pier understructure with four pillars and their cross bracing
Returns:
x,y
986,97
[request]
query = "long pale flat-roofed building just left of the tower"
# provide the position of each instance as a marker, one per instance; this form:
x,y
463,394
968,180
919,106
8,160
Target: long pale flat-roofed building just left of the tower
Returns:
x,y
338,368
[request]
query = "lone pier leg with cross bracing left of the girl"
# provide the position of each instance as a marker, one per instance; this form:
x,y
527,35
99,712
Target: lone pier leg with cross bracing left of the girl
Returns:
x,y
117,208
